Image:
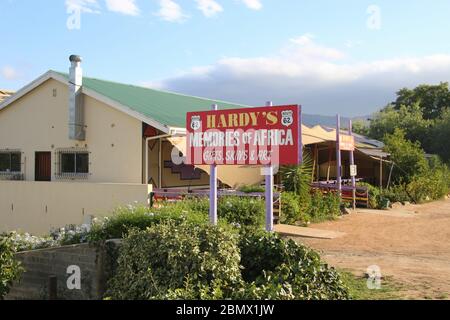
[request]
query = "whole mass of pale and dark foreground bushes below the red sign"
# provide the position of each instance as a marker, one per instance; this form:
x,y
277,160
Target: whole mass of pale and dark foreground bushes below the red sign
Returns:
x,y
188,261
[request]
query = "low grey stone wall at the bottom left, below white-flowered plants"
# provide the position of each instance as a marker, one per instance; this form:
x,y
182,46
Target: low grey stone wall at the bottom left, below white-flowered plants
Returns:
x,y
39,265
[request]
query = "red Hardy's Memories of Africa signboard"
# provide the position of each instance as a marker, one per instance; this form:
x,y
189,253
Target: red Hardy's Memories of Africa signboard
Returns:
x,y
248,136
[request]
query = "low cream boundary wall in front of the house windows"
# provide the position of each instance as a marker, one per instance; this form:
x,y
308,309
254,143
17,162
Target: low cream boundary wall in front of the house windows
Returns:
x,y
37,207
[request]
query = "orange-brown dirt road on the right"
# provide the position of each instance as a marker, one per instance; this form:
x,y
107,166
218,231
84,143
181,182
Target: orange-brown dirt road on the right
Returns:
x,y
410,244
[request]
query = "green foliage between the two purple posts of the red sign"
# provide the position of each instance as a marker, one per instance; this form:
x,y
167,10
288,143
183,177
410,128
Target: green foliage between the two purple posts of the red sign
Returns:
x,y
245,211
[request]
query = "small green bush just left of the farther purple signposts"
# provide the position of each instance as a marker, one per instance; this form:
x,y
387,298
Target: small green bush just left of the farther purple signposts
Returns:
x,y
324,207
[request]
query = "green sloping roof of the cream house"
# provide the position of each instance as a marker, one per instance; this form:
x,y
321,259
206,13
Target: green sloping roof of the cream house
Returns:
x,y
167,108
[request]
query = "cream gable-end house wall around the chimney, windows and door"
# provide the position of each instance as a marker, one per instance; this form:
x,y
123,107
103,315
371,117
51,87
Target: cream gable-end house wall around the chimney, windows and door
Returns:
x,y
39,122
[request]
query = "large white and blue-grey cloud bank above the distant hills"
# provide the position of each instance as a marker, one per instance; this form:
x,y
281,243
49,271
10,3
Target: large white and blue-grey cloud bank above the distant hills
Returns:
x,y
322,79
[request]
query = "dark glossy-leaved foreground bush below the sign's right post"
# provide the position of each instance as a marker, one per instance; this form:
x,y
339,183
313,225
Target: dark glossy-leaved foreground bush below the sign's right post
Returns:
x,y
275,268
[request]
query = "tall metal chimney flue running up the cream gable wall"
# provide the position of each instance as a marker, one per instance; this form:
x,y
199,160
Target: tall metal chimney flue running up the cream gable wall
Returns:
x,y
76,108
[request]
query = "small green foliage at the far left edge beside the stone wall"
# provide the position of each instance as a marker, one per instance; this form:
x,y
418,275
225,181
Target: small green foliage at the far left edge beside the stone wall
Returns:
x,y
10,269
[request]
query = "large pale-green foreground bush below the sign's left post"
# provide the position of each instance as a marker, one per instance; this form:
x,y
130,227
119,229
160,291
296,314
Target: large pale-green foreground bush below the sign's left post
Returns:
x,y
177,261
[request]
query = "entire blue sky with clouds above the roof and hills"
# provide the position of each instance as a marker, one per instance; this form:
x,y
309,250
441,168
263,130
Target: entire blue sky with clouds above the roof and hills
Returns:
x,y
347,57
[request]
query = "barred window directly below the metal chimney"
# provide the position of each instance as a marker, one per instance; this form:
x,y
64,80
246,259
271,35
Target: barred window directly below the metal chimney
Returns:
x,y
73,164
